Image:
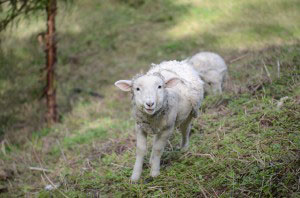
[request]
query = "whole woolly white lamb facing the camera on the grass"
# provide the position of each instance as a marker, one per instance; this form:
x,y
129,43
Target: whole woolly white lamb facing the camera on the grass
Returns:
x,y
168,96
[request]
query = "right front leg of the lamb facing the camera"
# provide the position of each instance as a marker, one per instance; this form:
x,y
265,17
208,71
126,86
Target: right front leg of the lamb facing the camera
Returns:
x,y
159,143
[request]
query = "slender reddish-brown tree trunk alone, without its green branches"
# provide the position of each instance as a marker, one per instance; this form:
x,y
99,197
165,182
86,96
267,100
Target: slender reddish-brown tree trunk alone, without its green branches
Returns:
x,y
51,62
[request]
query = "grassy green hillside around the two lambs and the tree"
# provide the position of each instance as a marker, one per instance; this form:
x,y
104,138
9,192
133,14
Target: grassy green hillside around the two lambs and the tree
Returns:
x,y
243,144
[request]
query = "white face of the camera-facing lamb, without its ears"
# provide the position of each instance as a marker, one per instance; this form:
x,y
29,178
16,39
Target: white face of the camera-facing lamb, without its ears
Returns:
x,y
149,93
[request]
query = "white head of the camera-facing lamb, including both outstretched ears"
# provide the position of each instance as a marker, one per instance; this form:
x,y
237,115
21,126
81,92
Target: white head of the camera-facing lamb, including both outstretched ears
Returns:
x,y
148,91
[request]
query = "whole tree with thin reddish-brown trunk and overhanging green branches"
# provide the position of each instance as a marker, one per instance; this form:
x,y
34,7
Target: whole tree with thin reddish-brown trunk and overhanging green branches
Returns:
x,y
12,10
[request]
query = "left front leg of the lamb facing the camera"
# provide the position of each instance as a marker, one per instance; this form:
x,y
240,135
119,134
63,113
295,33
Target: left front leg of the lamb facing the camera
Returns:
x,y
141,150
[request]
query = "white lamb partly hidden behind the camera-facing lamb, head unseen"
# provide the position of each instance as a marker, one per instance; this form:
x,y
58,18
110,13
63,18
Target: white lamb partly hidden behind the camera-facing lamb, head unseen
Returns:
x,y
211,68
